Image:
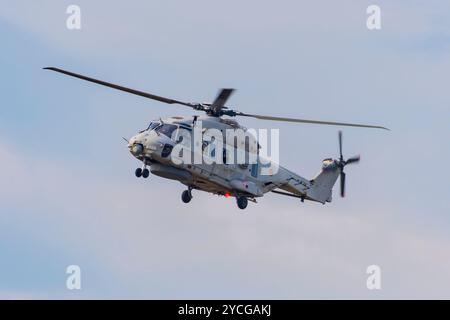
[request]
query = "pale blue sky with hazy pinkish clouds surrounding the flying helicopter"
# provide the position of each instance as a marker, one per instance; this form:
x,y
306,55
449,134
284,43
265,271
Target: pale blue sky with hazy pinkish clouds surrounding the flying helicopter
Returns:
x,y
67,190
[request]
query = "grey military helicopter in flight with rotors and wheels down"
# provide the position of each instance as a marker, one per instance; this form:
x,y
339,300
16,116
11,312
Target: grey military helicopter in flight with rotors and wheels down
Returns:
x,y
155,147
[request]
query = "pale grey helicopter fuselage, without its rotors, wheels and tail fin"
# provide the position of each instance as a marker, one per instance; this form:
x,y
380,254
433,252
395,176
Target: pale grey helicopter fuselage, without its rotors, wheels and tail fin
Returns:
x,y
154,147
